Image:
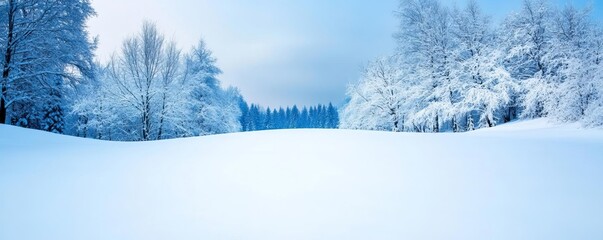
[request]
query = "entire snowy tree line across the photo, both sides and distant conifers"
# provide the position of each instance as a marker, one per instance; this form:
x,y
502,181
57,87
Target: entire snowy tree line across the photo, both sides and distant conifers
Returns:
x,y
452,70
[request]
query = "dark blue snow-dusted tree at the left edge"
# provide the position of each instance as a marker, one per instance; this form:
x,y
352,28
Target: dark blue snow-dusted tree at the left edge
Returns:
x,y
44,45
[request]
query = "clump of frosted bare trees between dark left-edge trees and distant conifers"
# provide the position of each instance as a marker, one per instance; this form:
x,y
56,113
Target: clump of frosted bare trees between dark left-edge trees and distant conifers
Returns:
x,y
150,90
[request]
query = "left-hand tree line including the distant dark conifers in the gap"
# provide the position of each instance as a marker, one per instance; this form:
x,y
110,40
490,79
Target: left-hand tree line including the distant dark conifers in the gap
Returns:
x,y
148,90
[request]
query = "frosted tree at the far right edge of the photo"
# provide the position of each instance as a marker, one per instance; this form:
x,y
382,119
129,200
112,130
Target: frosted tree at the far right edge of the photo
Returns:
x,y
575,50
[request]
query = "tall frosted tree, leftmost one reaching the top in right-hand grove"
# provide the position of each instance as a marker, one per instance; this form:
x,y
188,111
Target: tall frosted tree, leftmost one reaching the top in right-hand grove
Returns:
x,y
424,39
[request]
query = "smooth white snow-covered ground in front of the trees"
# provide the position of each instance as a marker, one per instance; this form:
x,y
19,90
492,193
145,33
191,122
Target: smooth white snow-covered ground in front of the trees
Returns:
x,y
526,180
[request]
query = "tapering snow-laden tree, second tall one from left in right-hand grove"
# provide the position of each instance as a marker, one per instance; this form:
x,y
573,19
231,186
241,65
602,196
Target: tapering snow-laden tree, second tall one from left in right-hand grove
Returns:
x,y
483,90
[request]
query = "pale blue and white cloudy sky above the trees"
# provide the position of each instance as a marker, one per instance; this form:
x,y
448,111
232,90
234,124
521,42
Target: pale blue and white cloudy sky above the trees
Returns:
x,y
277,52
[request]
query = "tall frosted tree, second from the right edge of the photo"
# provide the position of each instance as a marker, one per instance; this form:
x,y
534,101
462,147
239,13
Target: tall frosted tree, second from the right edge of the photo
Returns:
x,y
527,39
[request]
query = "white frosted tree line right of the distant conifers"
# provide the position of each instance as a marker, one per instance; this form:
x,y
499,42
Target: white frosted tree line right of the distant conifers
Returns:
x,y
453,70
